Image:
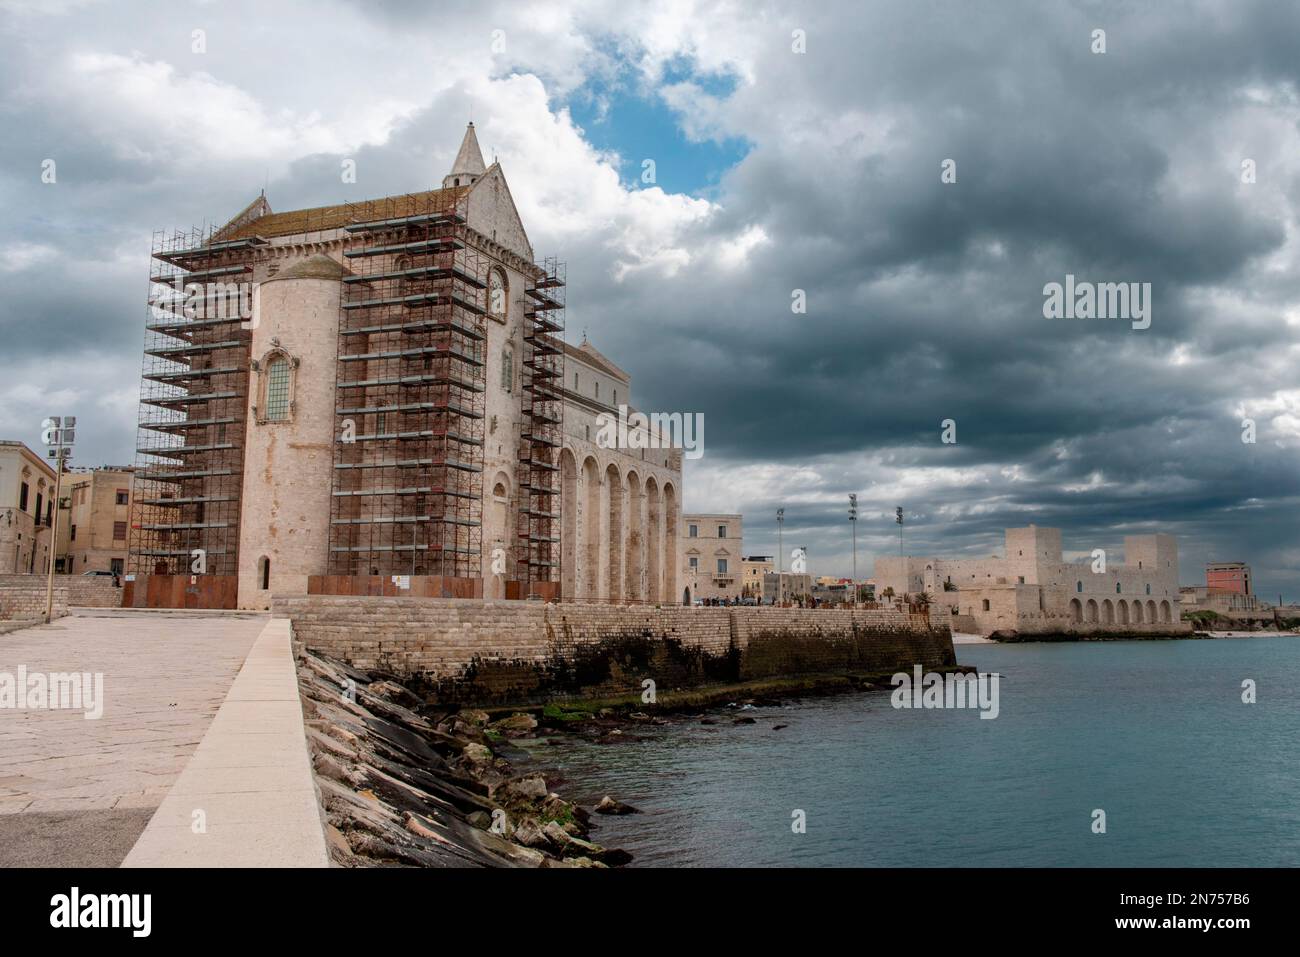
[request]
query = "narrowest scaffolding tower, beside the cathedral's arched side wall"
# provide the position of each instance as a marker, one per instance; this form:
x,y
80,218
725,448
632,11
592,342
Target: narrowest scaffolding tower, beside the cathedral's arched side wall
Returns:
x,y
541,434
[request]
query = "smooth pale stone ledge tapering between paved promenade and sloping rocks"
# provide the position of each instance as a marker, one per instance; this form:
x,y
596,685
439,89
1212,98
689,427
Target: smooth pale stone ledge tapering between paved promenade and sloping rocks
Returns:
x,y
248,798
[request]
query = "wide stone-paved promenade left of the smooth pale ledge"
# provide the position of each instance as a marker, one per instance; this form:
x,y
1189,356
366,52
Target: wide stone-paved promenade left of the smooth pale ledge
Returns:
x,y
77,793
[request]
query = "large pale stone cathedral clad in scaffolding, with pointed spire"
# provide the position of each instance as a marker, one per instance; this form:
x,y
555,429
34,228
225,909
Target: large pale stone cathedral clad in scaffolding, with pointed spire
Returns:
x,y
378,399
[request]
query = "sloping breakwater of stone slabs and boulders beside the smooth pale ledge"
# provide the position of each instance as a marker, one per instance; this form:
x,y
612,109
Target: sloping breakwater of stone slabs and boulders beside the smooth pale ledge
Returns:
x,y
402,785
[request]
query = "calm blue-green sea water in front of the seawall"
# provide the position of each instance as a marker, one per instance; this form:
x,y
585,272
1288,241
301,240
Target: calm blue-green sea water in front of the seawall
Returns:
x,y
1152,733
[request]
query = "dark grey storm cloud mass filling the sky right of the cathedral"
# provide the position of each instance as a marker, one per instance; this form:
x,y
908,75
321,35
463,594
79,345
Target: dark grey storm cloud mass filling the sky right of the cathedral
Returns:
x,y
925,301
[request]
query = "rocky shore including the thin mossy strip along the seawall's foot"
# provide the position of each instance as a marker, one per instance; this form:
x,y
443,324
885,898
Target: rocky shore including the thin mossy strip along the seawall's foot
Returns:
x,y
408,783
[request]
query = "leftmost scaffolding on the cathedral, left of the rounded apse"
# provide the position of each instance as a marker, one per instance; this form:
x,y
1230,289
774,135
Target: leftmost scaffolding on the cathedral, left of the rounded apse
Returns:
x,y
193,405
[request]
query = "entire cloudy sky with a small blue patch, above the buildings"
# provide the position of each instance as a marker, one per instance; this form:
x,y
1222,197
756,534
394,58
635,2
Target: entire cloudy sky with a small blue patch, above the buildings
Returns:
x,y
774,171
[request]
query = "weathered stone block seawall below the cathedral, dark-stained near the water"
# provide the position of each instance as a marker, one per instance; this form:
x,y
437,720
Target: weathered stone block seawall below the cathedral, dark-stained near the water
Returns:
x,y
515,652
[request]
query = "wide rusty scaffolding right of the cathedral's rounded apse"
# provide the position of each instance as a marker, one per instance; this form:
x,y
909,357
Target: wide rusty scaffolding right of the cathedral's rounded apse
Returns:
x,y
408,496
